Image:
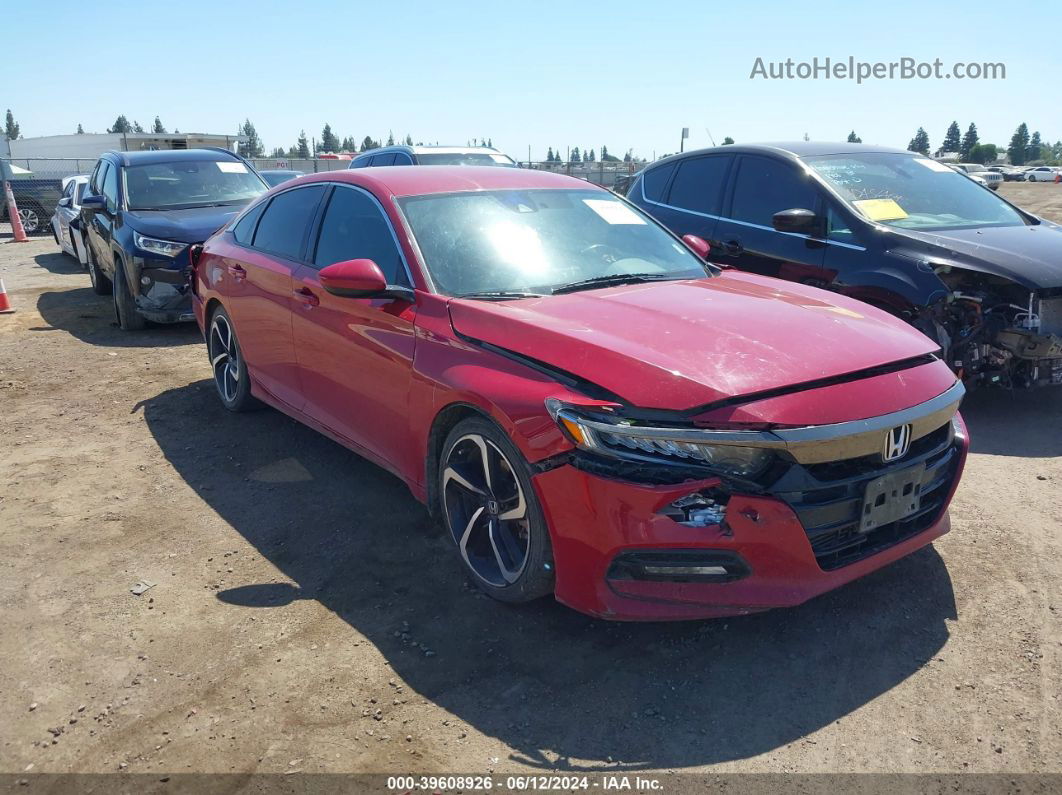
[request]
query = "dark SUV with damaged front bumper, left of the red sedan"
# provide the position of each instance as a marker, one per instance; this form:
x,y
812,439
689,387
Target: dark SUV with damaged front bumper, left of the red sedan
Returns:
x,y
142,214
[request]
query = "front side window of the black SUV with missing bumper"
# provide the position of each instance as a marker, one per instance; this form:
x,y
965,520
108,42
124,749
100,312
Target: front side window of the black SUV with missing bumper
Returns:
x,y
765,187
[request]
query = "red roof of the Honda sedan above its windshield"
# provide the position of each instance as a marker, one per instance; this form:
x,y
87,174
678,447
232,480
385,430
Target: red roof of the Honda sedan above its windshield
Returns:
x,y
403,181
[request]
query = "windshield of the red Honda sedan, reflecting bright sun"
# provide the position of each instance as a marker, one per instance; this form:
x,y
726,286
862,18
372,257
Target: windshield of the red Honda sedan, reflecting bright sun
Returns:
x,y
535,241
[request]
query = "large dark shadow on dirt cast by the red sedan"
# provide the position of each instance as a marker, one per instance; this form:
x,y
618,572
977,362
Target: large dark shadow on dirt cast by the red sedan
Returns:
x,y
563,690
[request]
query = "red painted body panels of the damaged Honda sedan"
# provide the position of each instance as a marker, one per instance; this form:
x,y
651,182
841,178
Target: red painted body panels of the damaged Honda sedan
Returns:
x,y
376,375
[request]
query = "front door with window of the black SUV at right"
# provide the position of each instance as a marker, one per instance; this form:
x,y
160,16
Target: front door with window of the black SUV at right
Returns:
x,y
747,238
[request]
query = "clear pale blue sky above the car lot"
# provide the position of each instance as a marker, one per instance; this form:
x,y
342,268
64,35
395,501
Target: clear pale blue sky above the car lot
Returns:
x,y
625,75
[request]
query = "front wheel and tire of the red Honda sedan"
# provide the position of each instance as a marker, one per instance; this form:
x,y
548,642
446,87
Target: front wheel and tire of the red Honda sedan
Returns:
x,y
483,480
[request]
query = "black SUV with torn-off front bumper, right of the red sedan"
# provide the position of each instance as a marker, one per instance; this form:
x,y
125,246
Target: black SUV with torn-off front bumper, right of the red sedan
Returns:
x,y
892,228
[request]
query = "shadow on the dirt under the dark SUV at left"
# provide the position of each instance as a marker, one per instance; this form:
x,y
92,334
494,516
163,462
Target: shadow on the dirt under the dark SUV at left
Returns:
x,y
91,318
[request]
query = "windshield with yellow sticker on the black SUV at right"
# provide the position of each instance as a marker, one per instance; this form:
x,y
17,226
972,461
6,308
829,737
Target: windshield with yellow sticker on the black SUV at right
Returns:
x,y
913,193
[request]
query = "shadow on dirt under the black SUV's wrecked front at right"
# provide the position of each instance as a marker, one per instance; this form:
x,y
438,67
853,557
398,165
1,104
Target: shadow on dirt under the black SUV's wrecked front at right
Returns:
x,y
1025,424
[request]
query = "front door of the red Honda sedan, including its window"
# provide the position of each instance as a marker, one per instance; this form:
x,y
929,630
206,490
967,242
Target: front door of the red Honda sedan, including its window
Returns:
x,y
356,355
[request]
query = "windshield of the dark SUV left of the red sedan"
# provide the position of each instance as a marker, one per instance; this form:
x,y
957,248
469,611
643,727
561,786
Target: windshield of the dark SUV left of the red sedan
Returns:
x,y
190,184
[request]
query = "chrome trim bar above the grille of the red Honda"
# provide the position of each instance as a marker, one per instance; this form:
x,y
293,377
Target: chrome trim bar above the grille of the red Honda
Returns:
x,y
812,444
